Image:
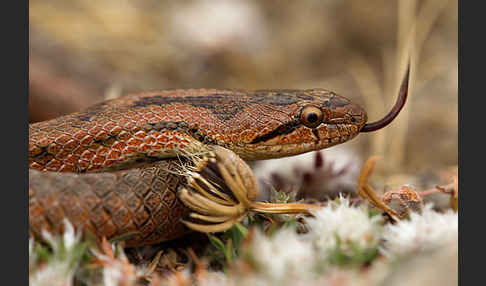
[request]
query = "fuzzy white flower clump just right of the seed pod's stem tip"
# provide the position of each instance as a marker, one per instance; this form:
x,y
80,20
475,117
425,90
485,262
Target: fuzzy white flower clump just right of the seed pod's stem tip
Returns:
x,y
351,224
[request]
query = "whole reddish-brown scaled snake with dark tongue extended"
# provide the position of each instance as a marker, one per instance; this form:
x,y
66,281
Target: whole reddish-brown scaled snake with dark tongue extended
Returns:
x,y
112,168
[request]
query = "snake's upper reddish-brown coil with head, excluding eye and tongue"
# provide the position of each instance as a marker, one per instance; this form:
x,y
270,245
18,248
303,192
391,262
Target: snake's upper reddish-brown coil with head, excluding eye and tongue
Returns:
x,y
153,125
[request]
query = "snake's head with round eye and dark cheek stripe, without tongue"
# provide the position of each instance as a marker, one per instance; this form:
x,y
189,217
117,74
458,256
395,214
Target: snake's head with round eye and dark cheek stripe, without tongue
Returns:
x,y
318,119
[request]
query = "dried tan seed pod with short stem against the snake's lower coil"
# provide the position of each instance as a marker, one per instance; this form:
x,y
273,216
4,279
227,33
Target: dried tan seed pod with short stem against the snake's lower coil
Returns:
x,y
222,190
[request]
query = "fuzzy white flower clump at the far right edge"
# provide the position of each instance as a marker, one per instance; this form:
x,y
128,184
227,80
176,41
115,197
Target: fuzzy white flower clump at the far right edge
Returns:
x,y
422,232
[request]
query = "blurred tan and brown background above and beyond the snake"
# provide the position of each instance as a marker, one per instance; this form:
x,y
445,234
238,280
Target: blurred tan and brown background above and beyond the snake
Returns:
x,y
83,52
